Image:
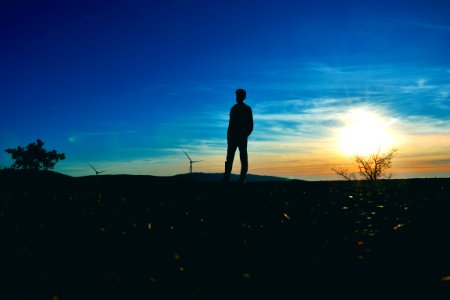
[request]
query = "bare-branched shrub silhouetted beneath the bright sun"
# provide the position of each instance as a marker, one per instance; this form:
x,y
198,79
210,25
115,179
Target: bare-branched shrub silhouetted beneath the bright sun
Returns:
x,y
371,167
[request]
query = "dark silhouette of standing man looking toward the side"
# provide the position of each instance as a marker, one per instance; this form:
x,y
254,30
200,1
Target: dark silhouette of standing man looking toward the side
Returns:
x,y
239,129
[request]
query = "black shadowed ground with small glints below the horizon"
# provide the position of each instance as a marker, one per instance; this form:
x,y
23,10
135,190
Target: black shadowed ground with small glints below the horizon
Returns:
x,y
137,237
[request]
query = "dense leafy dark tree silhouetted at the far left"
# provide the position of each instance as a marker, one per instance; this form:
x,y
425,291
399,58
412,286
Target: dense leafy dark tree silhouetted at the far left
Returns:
x,y
34,157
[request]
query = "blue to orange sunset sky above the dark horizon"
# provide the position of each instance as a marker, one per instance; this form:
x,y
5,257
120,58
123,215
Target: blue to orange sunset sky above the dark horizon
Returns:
x,y
125,85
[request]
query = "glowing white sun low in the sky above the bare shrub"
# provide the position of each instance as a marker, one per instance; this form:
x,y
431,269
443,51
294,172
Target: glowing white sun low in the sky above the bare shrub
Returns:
x,y
365,132
